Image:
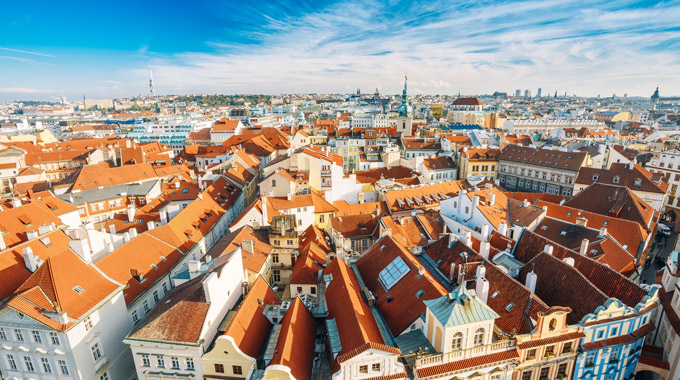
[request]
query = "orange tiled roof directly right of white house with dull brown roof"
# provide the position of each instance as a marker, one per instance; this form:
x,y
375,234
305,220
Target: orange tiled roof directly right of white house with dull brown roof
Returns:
x,y
250,327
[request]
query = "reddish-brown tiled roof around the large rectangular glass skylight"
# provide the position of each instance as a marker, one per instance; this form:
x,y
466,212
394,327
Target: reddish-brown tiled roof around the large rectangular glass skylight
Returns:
x,y
401,304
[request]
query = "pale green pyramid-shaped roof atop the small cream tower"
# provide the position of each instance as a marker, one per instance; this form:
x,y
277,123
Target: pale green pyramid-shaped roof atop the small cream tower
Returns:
x,y
460,307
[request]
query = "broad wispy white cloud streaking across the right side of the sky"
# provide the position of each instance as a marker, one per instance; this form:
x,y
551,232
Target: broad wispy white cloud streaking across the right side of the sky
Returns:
x,y
566,45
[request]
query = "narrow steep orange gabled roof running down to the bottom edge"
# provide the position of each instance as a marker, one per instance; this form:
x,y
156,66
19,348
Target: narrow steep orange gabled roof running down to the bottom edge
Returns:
x,y
295,346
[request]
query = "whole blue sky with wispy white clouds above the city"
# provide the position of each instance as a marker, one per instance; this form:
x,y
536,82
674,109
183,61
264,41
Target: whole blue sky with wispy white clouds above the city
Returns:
x,y
105,49
